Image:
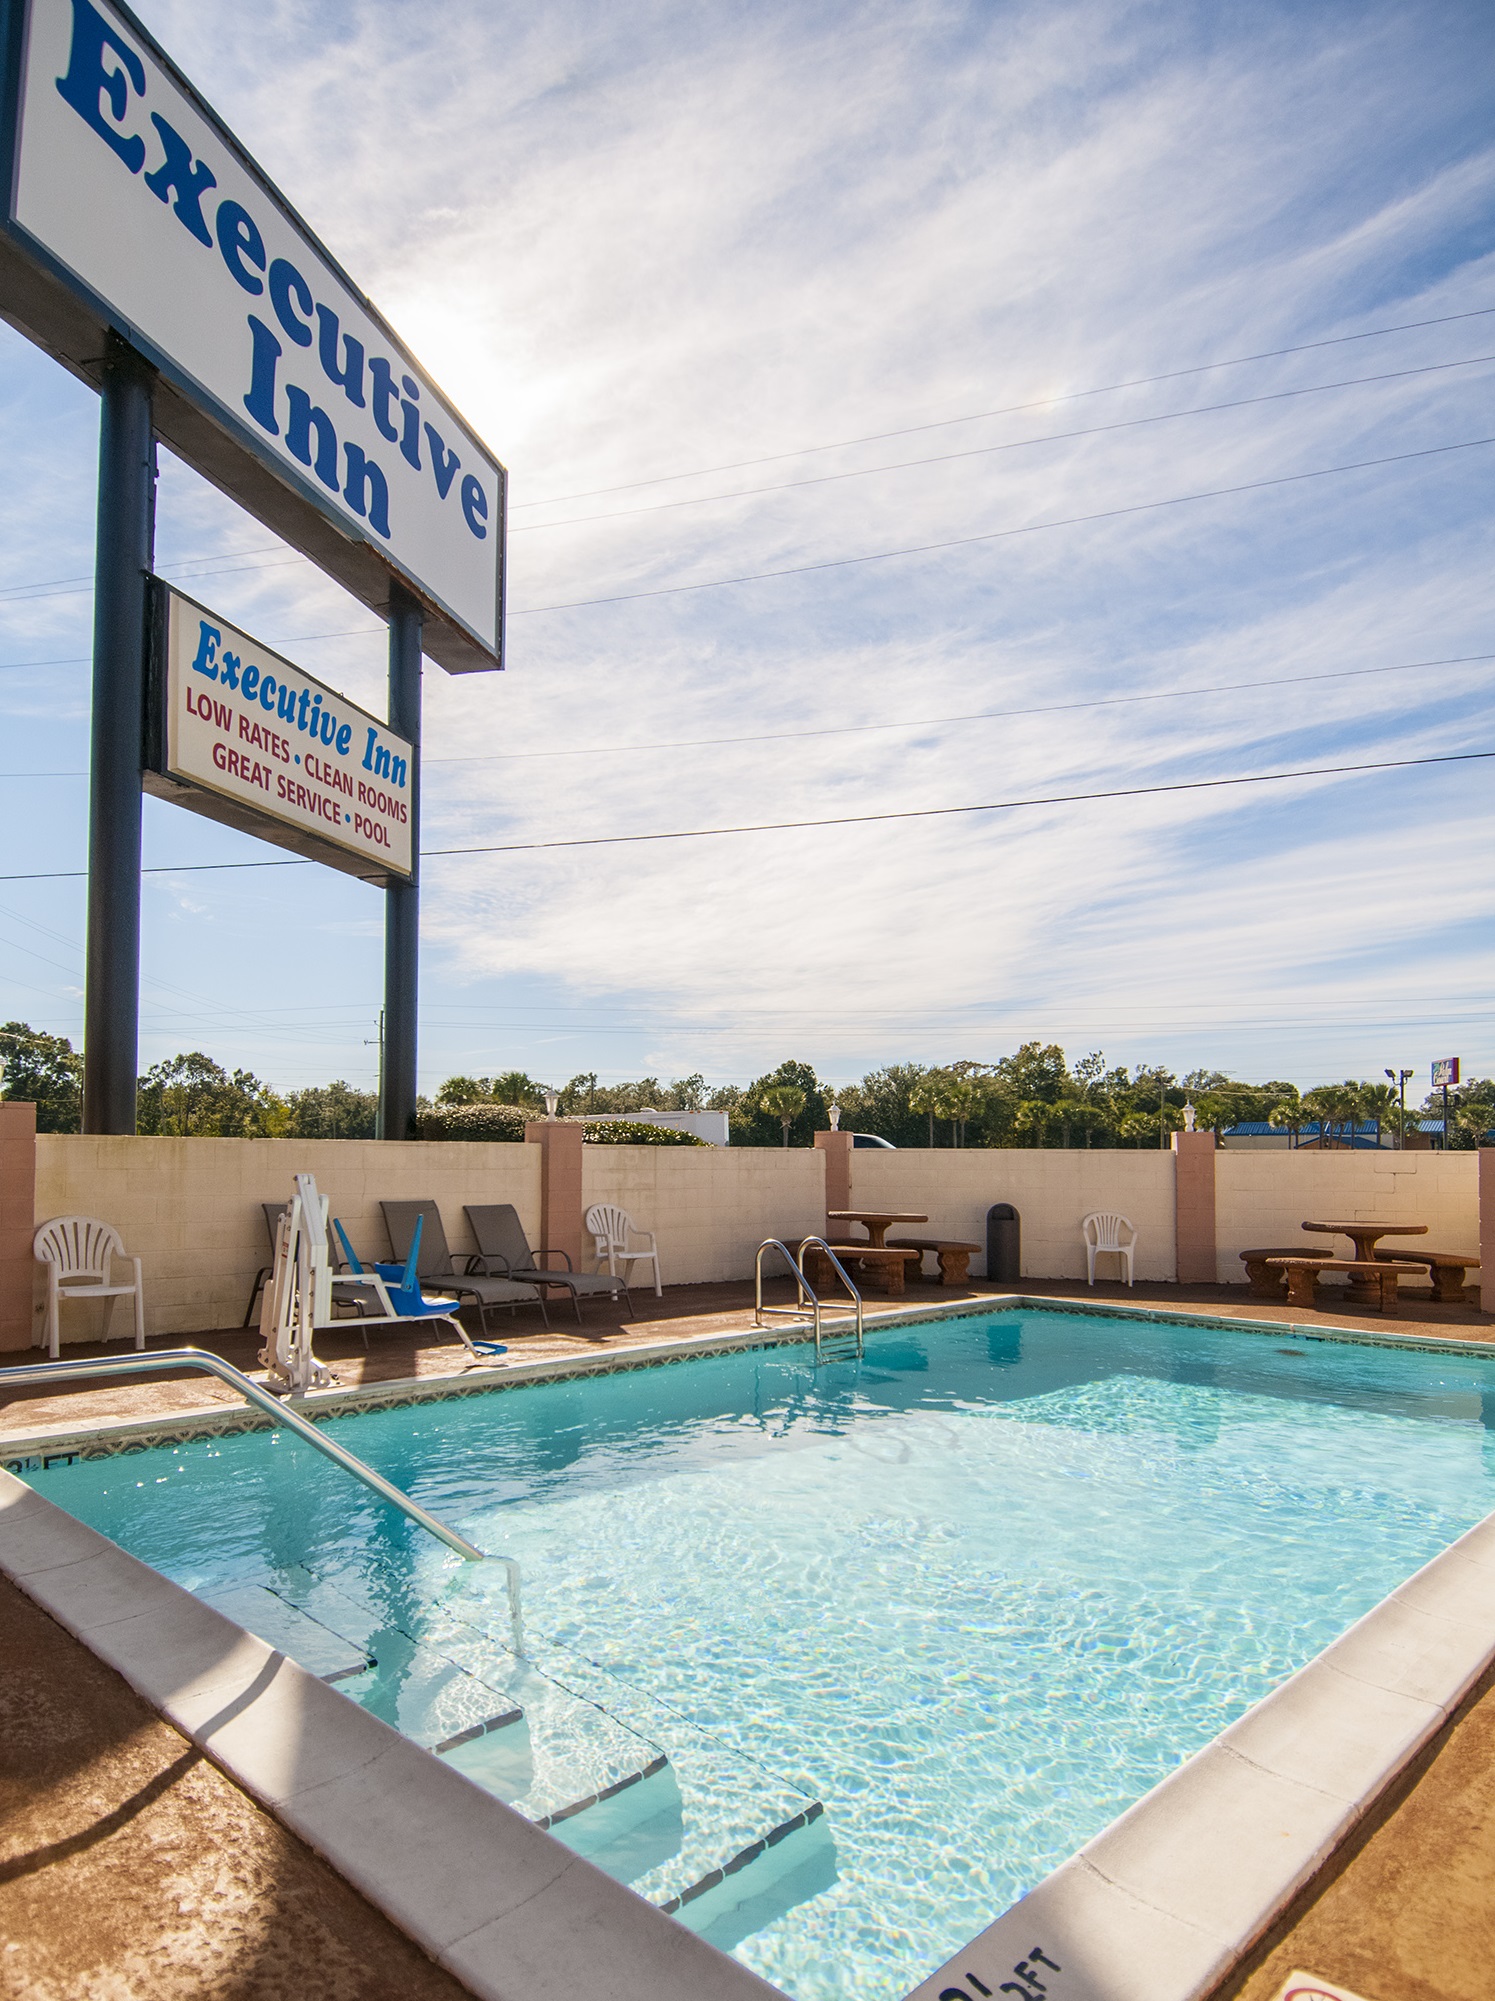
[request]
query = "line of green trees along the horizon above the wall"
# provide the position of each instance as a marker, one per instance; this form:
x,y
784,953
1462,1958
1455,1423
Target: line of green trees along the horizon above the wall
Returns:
x,y
1036,1098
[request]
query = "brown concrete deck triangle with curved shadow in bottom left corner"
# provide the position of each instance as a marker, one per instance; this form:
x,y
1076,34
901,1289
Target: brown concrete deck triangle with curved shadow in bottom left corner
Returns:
x,y
131,1866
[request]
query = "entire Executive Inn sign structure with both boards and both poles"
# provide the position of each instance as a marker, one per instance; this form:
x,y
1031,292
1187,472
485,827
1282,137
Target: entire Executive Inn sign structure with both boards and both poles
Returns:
x,y
151,257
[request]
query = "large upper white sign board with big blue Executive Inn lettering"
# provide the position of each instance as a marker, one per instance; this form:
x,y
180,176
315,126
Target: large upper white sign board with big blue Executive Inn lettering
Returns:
x,y
133,209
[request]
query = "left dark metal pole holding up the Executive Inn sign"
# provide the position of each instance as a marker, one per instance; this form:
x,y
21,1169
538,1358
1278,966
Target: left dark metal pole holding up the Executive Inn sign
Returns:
x,y
127,521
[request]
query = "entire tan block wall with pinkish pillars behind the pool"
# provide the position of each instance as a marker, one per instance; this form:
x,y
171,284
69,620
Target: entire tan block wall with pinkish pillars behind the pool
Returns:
x,y
191,1208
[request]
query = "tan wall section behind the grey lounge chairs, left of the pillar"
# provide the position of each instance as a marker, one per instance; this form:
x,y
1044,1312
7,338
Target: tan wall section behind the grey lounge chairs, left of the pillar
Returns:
x,y
191,1208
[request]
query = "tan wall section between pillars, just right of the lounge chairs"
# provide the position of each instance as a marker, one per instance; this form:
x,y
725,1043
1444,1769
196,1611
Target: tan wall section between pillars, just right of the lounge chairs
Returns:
x,y
711,1208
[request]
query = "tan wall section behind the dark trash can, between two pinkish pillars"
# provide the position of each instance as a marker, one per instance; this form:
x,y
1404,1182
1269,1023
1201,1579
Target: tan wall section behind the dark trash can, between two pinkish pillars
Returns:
x,y
1052,1190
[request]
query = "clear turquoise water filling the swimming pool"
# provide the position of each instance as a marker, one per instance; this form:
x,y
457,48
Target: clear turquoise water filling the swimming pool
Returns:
x,y
974,1596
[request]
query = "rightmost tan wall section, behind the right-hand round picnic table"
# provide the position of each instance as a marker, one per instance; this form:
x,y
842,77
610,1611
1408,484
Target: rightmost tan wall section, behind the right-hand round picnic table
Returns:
x,y
1262,1202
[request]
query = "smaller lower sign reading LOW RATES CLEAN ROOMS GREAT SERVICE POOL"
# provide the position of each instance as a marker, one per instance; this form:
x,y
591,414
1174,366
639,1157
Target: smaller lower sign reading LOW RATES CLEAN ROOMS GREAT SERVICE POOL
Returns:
x,y
245,737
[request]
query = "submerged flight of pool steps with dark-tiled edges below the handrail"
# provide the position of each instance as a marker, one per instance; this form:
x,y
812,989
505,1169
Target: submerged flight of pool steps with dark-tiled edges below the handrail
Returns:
x,y
659,1804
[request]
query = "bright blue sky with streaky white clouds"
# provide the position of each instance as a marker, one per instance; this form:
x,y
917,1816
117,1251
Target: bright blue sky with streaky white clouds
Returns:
x,y
956,329
